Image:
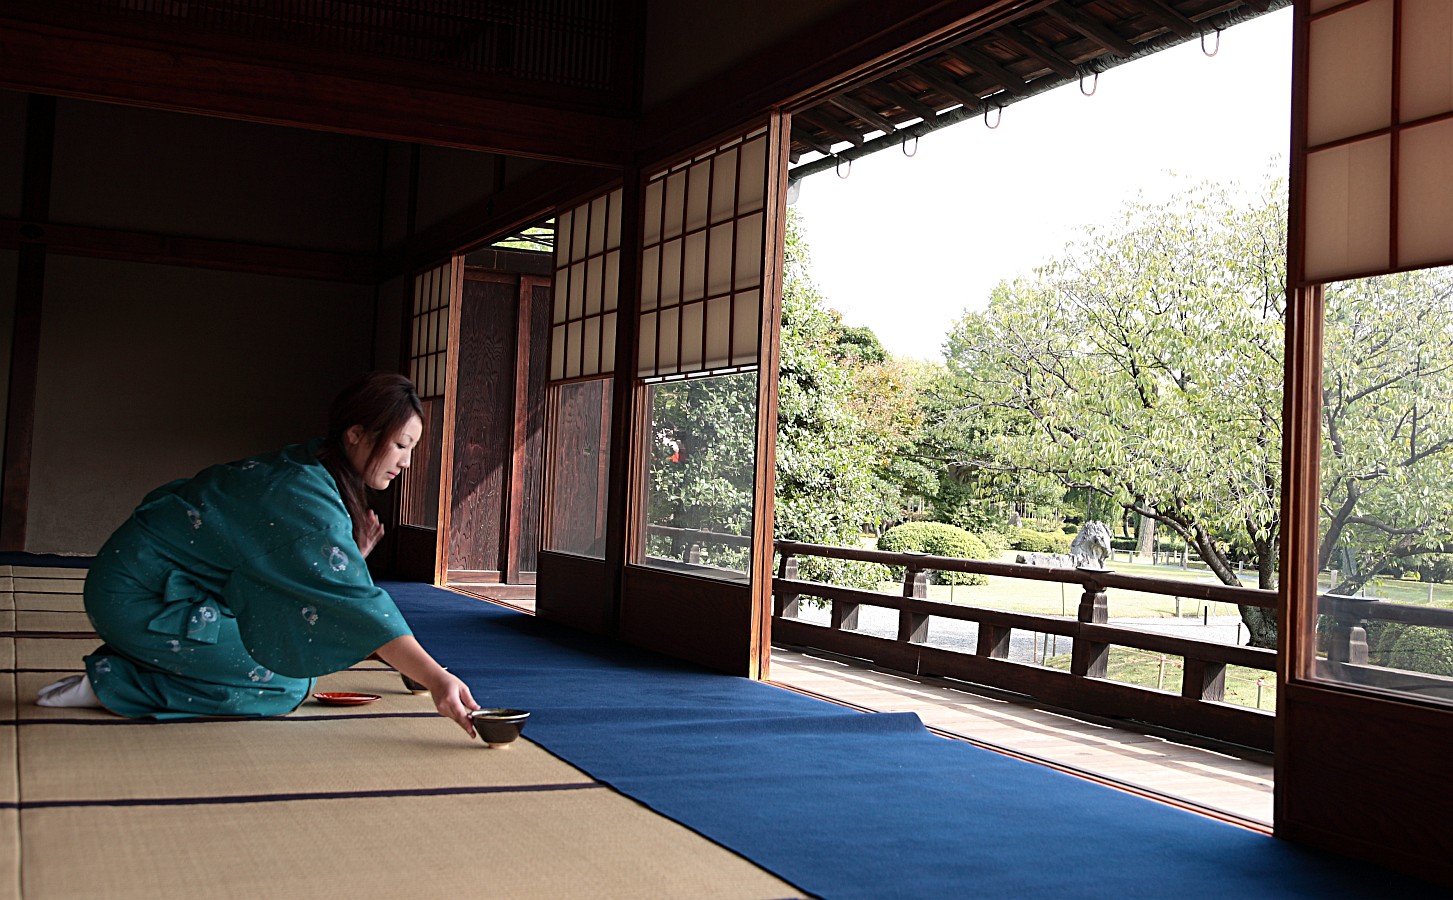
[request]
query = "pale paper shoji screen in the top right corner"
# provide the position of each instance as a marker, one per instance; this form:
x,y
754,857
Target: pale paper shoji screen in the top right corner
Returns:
x,y
1380,137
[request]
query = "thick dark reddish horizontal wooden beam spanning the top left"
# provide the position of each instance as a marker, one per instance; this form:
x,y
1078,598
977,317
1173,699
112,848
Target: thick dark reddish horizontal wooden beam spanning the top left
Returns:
x,y
70,63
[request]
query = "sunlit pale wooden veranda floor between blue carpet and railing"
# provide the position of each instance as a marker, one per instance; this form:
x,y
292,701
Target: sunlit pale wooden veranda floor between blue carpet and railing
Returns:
x,y
1234,783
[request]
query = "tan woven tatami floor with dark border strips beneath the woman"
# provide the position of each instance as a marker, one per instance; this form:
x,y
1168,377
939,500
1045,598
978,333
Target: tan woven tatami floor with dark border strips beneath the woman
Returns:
x,y
383,800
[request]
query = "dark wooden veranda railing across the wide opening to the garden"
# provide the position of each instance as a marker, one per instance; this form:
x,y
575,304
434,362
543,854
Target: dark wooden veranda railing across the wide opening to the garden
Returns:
x,y
1085,688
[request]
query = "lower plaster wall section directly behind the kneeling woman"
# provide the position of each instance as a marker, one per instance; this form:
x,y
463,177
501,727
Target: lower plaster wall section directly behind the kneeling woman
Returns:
x,y
152,373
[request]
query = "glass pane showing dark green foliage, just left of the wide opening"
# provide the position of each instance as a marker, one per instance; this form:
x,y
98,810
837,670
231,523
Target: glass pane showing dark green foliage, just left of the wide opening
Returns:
x,y
700,476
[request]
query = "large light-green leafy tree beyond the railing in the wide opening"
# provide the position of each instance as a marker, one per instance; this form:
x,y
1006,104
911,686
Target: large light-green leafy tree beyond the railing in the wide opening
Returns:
x,y
1144,367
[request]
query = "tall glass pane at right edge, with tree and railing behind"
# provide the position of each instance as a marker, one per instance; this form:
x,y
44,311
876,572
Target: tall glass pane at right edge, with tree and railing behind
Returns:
x,y
1387,485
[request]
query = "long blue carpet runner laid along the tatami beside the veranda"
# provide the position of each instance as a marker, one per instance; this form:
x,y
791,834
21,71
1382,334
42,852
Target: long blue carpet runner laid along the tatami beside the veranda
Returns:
x,y
852,805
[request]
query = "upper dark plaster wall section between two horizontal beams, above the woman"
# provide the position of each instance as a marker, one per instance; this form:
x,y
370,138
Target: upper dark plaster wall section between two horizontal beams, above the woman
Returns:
x,y
172,174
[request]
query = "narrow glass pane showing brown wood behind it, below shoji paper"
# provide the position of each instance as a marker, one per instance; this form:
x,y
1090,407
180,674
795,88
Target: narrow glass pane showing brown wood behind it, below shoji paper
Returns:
x,y
580,460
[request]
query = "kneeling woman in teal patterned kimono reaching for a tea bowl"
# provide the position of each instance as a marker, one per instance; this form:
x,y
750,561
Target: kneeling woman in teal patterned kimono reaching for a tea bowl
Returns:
x,y
226,594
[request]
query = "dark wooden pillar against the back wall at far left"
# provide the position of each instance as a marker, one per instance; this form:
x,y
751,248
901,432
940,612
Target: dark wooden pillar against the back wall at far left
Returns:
x,y
25,337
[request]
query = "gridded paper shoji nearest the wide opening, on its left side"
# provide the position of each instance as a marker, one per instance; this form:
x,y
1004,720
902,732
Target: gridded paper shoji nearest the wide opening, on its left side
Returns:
x,y
703,261
